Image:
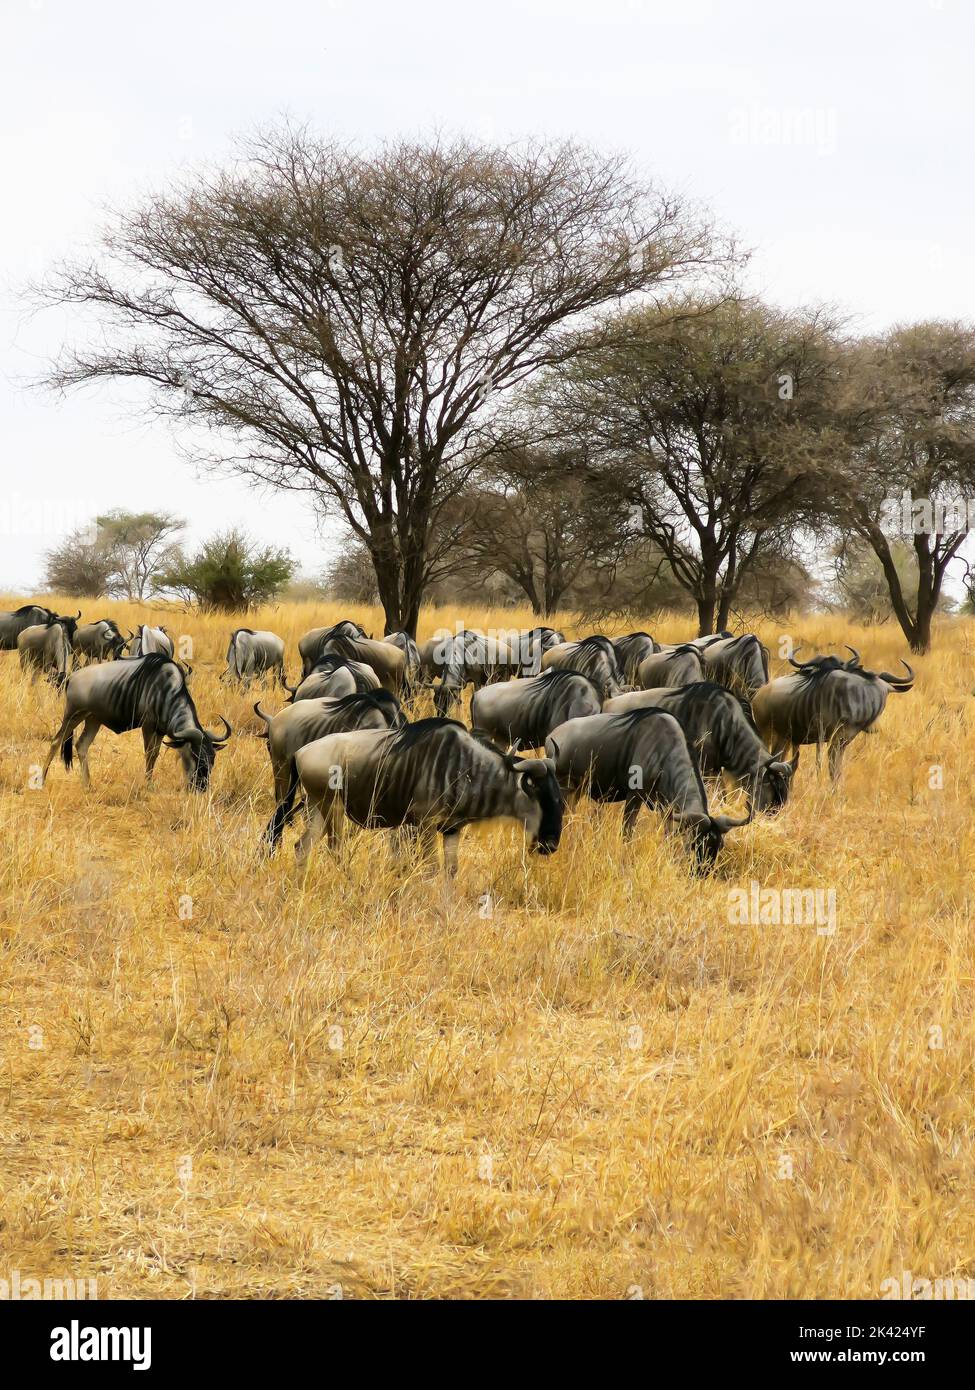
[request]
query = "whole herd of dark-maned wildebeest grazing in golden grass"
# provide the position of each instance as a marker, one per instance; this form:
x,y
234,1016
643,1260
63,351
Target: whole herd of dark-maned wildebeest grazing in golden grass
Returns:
x,y
618,719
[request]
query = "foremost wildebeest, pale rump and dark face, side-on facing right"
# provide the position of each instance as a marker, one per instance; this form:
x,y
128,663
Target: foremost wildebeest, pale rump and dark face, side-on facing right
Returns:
x,y
432,778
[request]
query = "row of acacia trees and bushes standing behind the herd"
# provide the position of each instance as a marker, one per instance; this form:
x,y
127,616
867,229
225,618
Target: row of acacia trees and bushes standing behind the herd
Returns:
x,y
526,369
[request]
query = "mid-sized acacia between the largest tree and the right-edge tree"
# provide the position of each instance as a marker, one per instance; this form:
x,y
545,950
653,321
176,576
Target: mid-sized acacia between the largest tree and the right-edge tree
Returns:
x,y
713,425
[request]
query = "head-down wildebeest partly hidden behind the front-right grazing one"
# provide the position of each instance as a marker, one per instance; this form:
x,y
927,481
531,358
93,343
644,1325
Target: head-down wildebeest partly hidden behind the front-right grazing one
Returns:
x,y
721,730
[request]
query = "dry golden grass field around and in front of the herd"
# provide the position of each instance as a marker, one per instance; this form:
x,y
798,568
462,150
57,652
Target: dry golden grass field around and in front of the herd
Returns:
x,y
581,1078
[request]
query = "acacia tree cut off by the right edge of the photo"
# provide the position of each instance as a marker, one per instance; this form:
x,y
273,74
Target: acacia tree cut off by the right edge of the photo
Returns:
x,y
909,473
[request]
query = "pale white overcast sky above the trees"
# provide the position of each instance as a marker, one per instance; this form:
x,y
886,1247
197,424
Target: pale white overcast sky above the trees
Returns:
x,y
835,138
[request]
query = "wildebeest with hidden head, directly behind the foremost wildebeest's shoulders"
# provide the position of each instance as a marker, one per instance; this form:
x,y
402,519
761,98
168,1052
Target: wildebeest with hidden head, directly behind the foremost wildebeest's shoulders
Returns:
x,y
522,714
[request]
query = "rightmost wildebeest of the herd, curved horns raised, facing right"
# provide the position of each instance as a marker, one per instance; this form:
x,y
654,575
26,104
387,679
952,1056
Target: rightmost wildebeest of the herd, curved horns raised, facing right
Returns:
x,y
825,701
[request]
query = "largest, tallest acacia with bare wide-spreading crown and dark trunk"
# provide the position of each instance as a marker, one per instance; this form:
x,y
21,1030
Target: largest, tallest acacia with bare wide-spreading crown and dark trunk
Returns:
x,y
346,325
